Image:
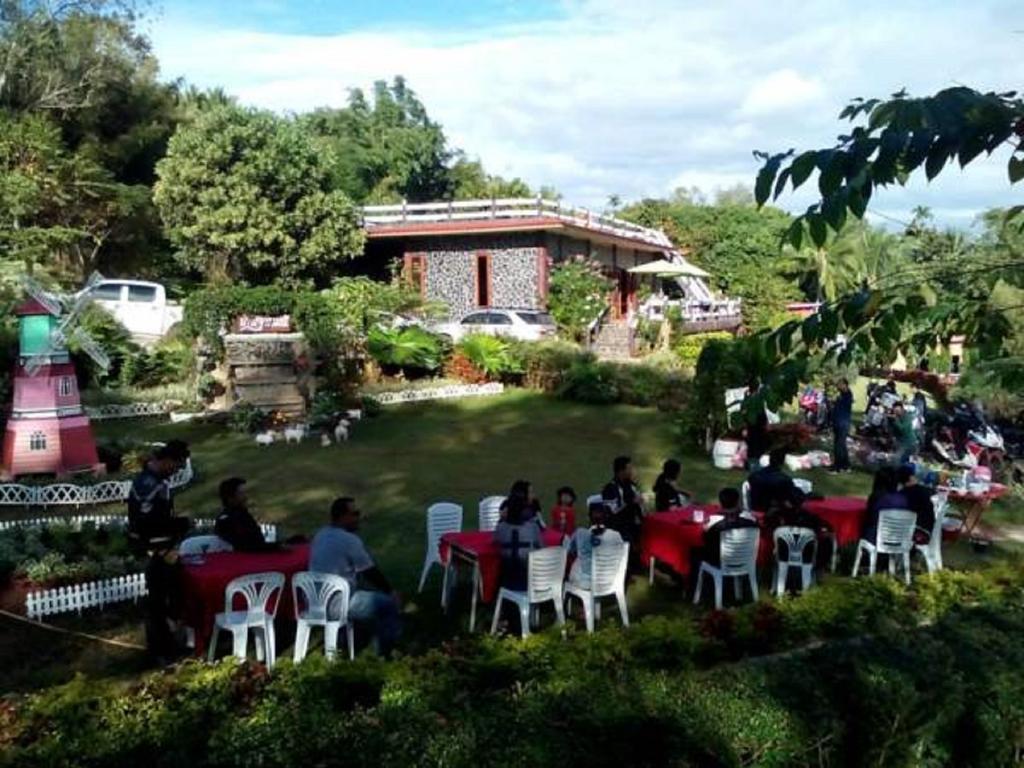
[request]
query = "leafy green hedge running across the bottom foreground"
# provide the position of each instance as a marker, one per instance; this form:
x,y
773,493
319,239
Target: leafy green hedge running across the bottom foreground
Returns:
x,y
949,695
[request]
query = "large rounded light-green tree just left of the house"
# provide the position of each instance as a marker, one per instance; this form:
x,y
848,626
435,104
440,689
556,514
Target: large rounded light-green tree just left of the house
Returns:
x,y
247,196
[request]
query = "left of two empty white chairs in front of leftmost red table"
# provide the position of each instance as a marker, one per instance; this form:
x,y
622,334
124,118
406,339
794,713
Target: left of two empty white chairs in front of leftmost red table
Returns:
x,y
259,591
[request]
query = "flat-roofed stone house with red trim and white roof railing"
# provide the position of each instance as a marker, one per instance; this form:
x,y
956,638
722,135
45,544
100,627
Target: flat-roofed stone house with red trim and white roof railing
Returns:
x,y
499,253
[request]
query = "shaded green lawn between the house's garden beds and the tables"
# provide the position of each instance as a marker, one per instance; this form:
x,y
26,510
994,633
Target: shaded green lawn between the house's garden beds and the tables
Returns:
x,y
397,465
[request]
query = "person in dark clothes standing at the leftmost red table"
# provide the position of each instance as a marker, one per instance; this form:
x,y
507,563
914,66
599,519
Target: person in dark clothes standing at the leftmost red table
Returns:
x,y
153,528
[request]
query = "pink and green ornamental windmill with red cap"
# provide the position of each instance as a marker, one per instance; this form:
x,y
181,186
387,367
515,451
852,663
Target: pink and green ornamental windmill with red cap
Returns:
x,y
49,432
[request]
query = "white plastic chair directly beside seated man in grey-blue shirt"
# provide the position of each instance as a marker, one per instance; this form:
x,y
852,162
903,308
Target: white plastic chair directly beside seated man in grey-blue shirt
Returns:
x,y
318,592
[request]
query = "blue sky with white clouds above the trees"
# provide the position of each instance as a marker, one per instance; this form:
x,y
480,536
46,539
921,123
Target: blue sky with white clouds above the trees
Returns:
x,y
626,98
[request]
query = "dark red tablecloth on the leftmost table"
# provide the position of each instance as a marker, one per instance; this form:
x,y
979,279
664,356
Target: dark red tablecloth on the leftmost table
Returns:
x,y
204,585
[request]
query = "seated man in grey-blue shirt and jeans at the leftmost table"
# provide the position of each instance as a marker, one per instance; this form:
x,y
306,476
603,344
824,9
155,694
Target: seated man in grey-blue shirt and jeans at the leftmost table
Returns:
x,y
337,549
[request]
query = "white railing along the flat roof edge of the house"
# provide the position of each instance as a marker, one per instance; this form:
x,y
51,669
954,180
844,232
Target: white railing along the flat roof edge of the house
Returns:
x,y
509,208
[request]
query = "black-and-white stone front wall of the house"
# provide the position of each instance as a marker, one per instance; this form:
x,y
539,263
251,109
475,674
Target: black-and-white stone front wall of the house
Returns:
x,y
451,270
